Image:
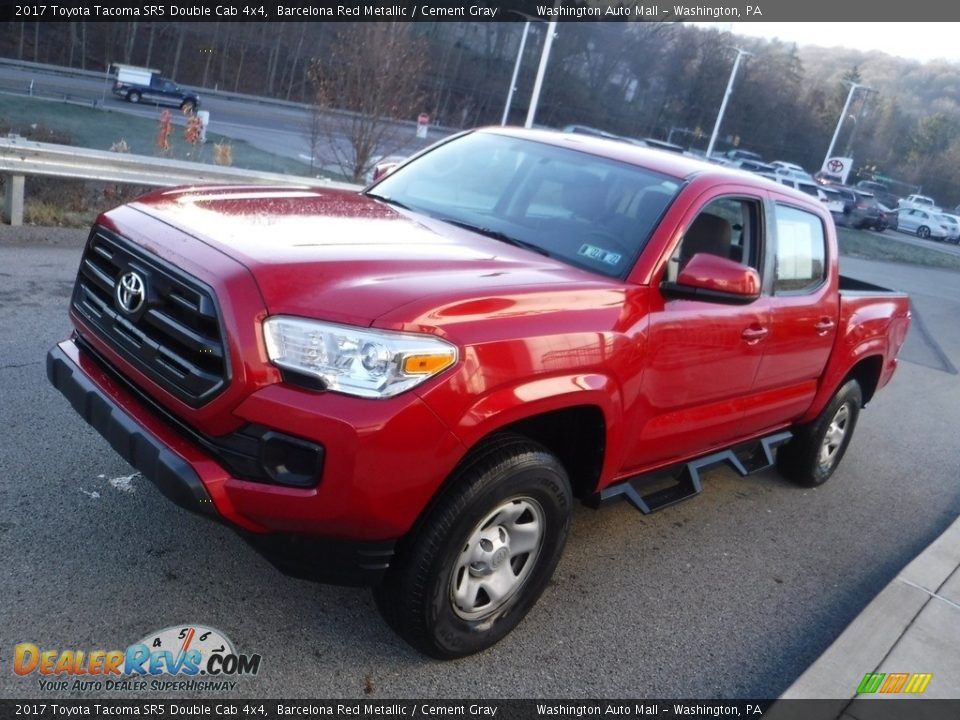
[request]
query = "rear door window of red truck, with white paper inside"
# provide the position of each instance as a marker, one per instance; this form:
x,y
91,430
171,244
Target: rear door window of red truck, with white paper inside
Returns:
x,y
801,250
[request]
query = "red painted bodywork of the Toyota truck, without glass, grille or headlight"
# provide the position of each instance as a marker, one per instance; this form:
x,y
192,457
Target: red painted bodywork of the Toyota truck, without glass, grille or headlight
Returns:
x,y
674,378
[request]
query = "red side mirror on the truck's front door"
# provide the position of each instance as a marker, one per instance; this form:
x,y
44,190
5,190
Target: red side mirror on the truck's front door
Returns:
x,y
711,277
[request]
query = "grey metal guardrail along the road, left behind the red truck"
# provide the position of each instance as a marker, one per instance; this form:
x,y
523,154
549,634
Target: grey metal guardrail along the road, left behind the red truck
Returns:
x,y
19,158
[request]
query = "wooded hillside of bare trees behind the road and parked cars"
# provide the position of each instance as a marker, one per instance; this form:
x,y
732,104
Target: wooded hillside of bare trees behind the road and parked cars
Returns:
x,y
634,78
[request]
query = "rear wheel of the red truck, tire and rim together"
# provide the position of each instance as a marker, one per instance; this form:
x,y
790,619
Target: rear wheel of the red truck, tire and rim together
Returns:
x,y
817,448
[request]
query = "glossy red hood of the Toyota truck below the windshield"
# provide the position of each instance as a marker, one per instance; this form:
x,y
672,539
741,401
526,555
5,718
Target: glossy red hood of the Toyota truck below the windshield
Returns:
x,y
341,256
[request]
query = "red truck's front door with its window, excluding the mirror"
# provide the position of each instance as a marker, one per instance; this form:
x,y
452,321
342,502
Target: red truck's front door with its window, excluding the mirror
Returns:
x,y
703,355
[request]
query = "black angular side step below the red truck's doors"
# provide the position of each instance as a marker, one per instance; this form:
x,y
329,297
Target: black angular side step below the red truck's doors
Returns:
x,y
745,459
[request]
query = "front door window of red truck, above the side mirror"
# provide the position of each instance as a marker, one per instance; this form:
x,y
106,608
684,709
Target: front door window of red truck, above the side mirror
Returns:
x,y
728,227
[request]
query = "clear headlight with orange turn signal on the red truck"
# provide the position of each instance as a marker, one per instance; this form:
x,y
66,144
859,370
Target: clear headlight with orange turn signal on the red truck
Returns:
x,y
356,361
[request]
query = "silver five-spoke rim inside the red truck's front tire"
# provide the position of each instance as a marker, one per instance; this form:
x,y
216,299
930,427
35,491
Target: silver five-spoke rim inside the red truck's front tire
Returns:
x,y
497,558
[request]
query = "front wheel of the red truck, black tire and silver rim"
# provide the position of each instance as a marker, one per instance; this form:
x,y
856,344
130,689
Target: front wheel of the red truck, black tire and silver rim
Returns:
x,y
439,592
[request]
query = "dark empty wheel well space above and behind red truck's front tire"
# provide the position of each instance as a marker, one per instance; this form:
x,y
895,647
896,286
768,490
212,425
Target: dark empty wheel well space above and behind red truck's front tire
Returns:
x,y
576,435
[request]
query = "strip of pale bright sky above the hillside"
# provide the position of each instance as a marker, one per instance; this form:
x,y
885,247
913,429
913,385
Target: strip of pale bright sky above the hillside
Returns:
x,y
916,41
